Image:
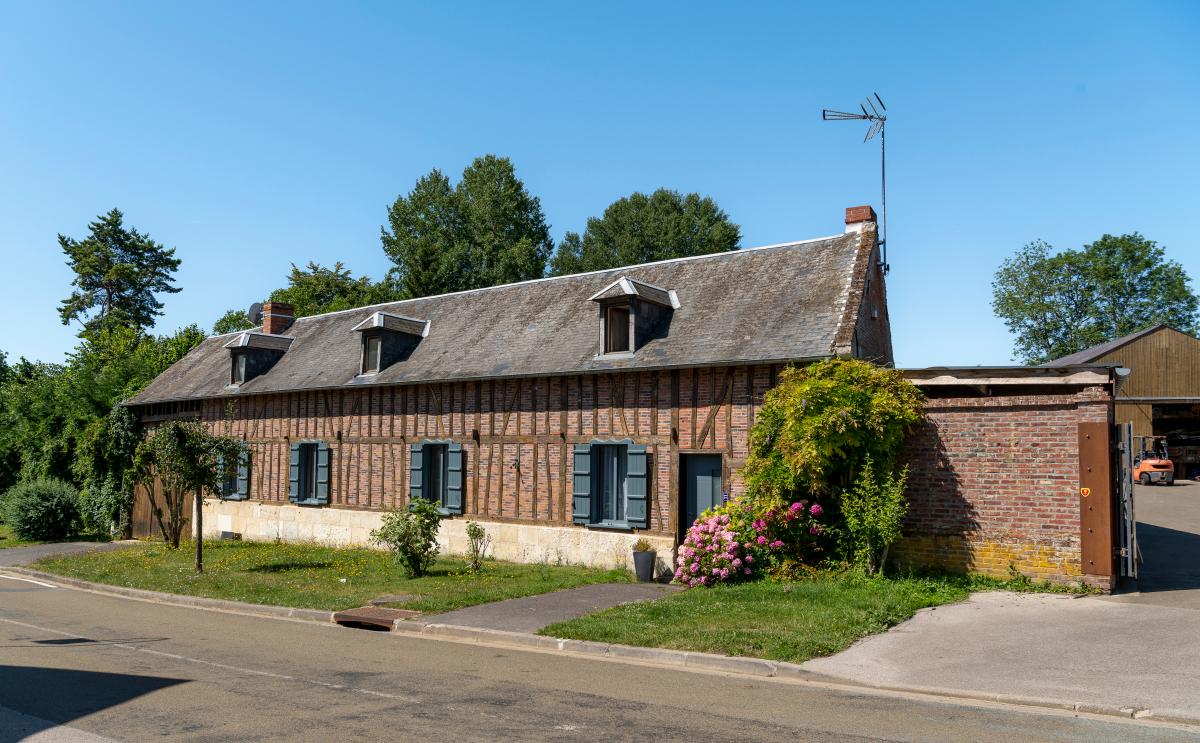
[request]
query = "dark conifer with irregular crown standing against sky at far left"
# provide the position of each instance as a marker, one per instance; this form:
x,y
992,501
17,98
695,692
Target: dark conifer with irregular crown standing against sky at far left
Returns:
x,y
118,274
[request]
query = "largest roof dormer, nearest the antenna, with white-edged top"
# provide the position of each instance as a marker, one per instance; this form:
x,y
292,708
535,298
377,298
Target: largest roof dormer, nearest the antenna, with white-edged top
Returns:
x,y
633,314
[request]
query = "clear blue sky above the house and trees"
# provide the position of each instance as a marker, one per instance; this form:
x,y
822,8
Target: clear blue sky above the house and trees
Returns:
x,y
250,136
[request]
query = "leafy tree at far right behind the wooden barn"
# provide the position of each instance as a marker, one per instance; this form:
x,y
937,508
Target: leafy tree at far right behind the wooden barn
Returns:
x,y
1058,304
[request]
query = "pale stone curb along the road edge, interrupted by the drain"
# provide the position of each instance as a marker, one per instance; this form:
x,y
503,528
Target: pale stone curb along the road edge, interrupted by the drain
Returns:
x,y
622,654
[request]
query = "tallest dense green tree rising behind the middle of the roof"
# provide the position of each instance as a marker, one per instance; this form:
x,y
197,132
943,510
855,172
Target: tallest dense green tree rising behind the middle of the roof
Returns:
x,y
487,231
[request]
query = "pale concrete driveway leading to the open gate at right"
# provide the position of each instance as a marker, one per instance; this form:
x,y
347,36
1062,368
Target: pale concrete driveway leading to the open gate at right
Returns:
x,y
1061,650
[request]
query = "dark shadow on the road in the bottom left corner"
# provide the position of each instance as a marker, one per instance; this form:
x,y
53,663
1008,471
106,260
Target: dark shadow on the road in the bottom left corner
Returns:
x,y
61,696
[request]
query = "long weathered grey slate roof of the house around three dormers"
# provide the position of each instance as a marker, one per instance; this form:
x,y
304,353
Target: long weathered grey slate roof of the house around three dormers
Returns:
x,y
778,303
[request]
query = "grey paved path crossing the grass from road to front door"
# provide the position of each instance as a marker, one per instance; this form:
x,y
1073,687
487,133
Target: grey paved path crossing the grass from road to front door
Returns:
x,y
531,614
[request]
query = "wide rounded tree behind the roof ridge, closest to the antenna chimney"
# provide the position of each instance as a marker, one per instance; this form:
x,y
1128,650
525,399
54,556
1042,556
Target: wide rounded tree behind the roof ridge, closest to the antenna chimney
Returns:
x,y
643,229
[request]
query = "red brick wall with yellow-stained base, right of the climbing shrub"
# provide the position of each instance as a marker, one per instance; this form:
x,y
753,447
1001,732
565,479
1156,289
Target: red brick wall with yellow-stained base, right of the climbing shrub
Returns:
x,y
994,482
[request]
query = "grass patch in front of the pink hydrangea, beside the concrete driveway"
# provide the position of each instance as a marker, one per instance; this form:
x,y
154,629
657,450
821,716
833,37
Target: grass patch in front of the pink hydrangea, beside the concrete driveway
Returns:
x,y
778,621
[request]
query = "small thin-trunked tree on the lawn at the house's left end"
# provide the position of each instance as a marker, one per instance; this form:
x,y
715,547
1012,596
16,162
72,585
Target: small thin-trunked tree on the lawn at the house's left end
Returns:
x,y
184,458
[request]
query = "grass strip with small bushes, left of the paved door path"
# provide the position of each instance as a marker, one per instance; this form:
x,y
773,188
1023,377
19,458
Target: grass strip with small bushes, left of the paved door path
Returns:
x,y
314,577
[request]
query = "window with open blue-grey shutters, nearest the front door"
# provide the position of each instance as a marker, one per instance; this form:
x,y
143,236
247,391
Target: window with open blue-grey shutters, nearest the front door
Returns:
x,y
610,484
